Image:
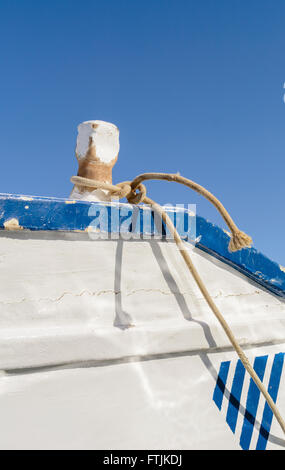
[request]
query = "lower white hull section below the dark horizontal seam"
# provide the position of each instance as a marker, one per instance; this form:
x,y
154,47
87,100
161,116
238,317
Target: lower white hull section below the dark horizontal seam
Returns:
x,y
163,403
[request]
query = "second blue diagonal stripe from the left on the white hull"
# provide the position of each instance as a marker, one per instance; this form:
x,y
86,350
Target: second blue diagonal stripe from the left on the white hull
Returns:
x,y
234,400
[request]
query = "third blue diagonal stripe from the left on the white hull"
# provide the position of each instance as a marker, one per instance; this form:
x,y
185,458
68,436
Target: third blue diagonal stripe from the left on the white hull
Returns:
x,y
252,403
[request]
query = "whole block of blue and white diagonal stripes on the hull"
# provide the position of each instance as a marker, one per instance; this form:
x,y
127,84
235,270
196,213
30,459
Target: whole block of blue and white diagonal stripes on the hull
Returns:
x,y
247,415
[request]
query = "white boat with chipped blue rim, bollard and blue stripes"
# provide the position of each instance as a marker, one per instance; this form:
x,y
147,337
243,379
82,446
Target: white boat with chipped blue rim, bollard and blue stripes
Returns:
x,y
106,341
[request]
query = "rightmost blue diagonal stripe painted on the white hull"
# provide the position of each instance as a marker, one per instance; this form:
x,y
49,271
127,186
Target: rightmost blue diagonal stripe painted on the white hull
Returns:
x,y
273,387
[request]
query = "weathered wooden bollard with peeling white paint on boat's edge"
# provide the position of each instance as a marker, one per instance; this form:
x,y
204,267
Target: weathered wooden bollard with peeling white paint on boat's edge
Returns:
x,y
97,150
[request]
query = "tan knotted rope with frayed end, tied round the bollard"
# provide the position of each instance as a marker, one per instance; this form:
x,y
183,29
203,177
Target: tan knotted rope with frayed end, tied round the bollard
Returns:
x,y
239,240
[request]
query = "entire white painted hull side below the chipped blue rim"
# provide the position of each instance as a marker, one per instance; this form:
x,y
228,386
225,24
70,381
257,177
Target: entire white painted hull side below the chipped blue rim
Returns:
x,y
110,345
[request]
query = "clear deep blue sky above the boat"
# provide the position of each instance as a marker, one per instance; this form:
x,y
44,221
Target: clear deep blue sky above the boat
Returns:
x,y
195,86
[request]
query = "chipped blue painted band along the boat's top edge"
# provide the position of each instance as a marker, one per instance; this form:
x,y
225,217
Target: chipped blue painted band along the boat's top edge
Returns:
x,y
43,213
